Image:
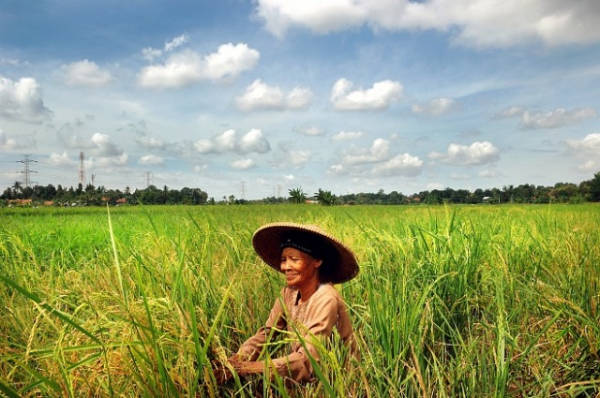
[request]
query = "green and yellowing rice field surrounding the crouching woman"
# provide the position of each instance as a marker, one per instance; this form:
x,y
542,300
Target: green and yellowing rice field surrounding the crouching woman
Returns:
x,y
459,301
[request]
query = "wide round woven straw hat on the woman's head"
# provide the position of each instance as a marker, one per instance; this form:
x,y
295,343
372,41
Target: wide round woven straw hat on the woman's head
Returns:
x,y
267,241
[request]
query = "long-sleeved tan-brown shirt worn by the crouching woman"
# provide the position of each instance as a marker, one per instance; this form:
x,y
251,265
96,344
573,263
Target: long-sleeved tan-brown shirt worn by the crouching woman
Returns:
x,y
323,311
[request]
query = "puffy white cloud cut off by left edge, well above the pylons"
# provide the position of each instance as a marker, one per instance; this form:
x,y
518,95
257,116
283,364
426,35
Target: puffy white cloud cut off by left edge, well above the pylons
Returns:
x,y
22,100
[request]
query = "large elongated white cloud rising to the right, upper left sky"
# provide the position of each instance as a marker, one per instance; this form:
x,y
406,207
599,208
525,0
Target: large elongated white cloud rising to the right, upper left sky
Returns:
x,y
187,67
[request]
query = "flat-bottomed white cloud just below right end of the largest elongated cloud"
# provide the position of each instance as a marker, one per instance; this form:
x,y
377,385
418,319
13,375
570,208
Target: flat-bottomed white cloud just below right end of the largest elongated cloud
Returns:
x,y
259,95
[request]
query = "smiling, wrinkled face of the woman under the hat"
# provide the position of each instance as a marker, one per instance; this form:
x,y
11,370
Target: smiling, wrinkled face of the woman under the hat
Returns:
x,y
299,268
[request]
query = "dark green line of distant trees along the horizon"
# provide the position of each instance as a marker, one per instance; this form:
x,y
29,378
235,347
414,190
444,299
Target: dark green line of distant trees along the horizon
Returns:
x,y
586,191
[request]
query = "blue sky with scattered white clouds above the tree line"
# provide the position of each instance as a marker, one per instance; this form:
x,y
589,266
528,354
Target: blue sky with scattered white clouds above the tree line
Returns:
x,y
253,98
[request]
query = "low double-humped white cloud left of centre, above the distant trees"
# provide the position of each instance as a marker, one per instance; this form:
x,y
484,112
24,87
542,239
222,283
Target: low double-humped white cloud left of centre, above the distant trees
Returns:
x,y
228,141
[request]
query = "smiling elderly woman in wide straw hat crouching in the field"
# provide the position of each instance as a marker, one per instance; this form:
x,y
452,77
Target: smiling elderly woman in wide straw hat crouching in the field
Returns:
x,y
311,261
